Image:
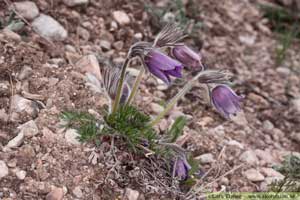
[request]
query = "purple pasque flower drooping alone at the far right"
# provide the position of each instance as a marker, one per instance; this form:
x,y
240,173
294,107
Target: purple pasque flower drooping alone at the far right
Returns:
x,y
225,100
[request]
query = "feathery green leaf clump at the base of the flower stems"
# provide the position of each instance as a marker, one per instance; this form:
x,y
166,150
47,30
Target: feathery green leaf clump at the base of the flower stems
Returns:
x,y
128,123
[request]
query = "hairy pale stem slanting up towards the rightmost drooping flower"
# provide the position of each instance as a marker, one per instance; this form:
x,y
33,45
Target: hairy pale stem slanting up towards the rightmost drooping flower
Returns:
x,y
174,100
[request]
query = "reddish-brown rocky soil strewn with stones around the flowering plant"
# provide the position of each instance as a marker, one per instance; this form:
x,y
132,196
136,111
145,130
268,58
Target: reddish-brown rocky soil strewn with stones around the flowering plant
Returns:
x,y
42,69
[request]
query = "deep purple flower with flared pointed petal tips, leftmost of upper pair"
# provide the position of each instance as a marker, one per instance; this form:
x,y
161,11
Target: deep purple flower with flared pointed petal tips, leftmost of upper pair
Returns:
x,y
162,66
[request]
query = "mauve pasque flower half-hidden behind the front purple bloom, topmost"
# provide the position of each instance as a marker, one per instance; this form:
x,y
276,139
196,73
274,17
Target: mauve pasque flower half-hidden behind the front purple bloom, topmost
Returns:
x,y
186,56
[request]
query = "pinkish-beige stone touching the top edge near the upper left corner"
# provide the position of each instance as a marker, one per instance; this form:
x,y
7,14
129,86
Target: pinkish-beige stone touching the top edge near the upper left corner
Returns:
x,y
26,9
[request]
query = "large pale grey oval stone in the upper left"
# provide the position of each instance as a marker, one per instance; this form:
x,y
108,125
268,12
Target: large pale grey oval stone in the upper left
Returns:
x,y
49,28
